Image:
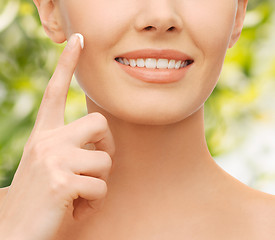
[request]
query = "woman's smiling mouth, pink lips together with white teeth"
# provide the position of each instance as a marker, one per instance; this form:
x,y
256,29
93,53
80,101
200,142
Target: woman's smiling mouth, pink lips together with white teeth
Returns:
x,y
155,65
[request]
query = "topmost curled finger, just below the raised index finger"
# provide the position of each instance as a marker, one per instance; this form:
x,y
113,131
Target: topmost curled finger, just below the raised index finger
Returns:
x,y
92,128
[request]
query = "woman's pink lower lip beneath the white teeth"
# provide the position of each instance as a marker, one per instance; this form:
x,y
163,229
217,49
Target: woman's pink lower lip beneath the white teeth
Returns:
x,y
155,75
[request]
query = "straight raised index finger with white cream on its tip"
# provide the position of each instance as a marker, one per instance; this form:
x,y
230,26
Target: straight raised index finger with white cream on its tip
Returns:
x,y
51,112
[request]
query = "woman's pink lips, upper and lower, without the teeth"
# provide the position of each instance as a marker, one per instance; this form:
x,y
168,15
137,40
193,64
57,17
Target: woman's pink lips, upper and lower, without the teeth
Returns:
x,y
156,75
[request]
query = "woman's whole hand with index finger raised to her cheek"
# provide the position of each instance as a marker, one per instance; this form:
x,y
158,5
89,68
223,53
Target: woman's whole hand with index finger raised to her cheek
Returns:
x,y
56,172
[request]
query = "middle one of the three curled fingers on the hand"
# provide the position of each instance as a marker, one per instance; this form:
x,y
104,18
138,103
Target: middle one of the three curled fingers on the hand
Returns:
x,y
90,163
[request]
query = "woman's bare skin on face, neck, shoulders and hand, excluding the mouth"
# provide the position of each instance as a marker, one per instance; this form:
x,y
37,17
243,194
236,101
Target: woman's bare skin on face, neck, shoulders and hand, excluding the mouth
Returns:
x,y
163,183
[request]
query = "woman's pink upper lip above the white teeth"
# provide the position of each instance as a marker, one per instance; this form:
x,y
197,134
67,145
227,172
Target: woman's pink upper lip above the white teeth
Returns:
x,y
156,53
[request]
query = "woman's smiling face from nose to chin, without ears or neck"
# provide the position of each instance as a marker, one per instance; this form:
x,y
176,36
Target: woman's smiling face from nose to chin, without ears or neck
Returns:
x,y
201,29
